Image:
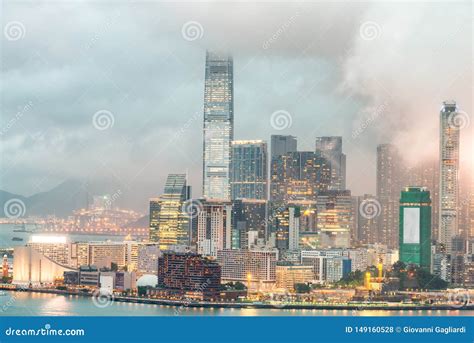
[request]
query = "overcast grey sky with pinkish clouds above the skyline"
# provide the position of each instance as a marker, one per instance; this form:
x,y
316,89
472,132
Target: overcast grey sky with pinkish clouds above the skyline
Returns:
x,y
373,73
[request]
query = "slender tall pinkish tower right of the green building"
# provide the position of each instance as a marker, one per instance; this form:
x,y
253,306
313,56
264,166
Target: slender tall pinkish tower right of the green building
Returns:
x,y
449,175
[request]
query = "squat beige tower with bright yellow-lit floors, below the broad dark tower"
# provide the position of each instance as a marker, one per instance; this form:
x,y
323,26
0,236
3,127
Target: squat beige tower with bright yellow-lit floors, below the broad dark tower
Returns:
x,y
335,218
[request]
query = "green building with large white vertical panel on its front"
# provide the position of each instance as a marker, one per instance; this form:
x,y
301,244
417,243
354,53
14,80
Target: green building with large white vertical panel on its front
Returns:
x,y
415,227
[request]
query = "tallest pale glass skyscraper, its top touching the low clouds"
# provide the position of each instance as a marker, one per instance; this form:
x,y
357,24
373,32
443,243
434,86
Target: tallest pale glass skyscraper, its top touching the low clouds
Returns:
x,y
218,125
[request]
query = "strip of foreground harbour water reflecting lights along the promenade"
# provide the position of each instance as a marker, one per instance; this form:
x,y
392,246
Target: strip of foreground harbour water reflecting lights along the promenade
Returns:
x,y
42,304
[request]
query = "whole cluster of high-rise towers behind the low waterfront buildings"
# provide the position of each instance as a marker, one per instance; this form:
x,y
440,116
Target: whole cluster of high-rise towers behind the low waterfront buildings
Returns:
x,y
288,201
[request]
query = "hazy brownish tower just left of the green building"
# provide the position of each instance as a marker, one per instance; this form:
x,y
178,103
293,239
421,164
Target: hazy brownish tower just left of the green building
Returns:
x,y
389,185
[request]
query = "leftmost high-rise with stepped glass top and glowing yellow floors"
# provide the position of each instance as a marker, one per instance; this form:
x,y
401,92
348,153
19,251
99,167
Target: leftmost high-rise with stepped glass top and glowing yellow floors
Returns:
x,y
173,222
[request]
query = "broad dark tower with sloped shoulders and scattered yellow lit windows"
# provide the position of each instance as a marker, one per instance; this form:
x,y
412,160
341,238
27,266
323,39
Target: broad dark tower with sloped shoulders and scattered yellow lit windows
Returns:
x,y
299,176
